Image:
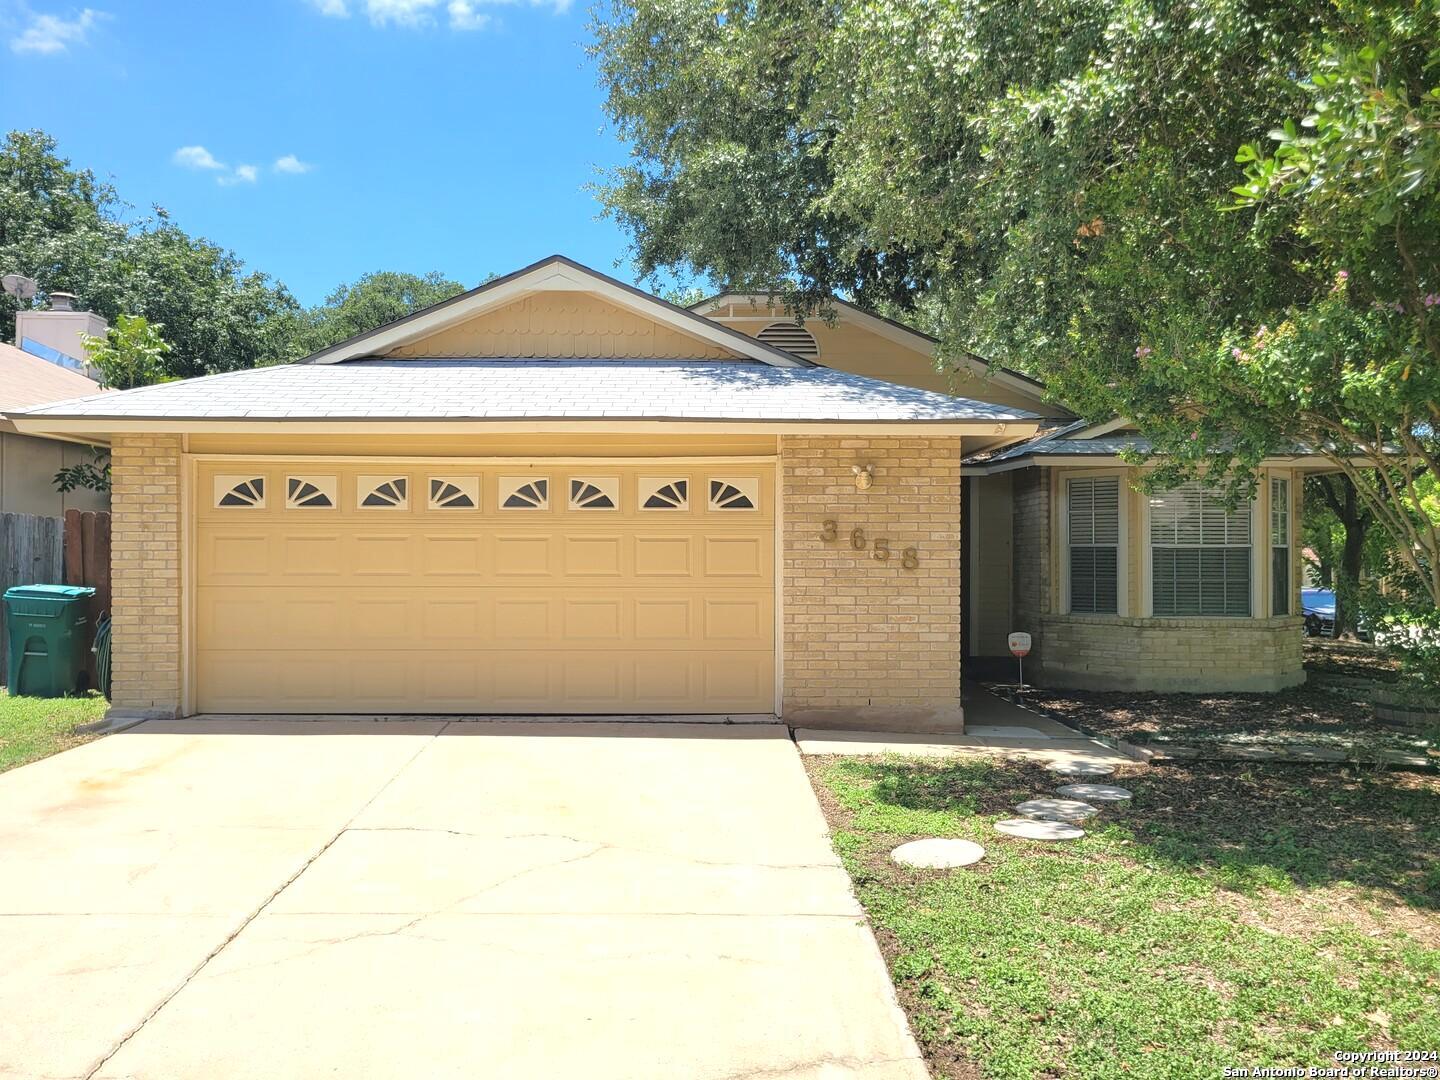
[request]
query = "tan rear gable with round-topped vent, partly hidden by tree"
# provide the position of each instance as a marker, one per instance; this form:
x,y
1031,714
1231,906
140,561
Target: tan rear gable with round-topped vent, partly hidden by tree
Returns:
x,y
878,349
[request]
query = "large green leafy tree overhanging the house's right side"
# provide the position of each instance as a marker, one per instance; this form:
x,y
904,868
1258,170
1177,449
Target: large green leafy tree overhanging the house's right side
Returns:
x,y
1053,184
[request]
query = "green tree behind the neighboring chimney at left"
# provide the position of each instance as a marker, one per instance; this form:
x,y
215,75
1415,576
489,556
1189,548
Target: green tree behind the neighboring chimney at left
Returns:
x,y
68,231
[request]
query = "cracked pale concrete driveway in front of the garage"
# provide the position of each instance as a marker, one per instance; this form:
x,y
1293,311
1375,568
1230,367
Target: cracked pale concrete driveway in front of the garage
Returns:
x,y
427,899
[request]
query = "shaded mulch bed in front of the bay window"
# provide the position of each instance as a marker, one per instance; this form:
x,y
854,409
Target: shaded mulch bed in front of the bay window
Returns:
x,y
1333,709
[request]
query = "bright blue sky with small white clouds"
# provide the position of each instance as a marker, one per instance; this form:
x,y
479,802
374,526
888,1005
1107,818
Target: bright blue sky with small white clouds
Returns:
x,y
323,139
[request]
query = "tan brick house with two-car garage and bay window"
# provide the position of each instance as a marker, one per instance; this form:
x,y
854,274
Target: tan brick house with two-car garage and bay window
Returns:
x,y
561,495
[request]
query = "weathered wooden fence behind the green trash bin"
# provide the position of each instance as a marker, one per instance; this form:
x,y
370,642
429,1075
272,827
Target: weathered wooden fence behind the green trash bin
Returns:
x,y
53,551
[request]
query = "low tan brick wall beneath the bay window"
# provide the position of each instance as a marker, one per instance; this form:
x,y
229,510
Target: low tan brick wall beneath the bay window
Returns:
x,y
1171,656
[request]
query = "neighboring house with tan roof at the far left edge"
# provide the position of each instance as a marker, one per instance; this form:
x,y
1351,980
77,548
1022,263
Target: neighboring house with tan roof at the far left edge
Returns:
x,y
30,463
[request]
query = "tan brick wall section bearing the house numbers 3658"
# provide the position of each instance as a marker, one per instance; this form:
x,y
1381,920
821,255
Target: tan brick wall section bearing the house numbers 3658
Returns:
x,y
870,642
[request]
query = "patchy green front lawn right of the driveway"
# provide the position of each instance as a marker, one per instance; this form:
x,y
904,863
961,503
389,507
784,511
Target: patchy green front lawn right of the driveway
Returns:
x,y
1232,917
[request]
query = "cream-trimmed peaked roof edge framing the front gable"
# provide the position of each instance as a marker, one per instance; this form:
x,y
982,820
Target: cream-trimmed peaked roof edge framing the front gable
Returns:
x,y
554,273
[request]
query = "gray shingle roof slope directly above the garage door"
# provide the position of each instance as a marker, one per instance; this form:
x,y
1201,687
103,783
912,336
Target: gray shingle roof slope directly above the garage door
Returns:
x,y
534,390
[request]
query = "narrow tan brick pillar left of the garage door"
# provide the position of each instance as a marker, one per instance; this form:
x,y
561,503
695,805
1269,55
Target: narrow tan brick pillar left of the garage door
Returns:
x,y
146,574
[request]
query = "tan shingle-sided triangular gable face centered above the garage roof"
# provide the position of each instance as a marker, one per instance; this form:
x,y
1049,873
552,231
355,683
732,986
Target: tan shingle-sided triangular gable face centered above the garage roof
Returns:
x,y
562,326
